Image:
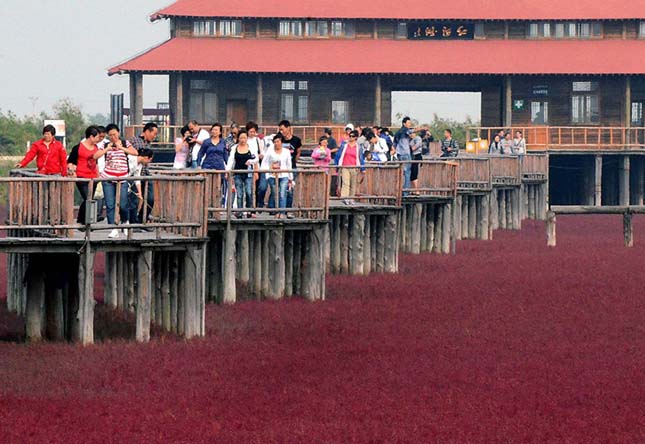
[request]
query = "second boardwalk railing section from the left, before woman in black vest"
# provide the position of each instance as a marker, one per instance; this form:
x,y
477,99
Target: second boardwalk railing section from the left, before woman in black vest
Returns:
x,y
310,196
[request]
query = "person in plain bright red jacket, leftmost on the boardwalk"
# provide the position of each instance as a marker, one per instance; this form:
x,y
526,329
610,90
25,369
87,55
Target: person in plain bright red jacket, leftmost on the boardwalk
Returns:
x,y
50,154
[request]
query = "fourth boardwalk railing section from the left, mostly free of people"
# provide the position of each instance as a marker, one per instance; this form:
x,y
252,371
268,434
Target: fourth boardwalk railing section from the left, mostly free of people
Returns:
x,y
436,178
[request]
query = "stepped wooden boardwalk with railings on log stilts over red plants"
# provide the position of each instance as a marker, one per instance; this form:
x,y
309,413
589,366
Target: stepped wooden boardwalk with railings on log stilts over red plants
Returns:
x,y
197,248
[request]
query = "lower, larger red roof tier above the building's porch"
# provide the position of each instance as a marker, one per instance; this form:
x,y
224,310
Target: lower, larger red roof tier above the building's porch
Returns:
x,y
384,56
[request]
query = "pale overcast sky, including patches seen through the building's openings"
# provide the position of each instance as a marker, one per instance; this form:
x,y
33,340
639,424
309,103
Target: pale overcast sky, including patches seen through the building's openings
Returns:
x,y
50,49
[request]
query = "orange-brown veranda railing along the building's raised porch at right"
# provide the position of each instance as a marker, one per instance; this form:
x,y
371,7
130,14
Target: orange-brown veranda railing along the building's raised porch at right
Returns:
x,y
570,138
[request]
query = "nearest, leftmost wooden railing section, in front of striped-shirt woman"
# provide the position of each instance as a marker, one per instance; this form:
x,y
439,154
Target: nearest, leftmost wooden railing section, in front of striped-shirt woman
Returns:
x,y
44,206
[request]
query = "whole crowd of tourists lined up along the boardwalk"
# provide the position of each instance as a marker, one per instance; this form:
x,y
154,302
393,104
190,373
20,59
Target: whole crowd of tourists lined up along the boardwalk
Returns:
x,y
263,167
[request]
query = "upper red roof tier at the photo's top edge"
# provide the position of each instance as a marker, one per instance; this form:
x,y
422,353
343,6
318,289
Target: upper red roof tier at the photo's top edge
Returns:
x,y
411,9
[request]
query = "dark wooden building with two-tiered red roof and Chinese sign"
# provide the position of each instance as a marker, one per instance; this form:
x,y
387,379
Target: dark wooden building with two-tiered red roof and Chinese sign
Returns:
x,y
569,74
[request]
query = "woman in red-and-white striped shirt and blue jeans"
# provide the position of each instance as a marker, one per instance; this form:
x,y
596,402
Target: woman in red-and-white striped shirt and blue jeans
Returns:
x,y
115,174
